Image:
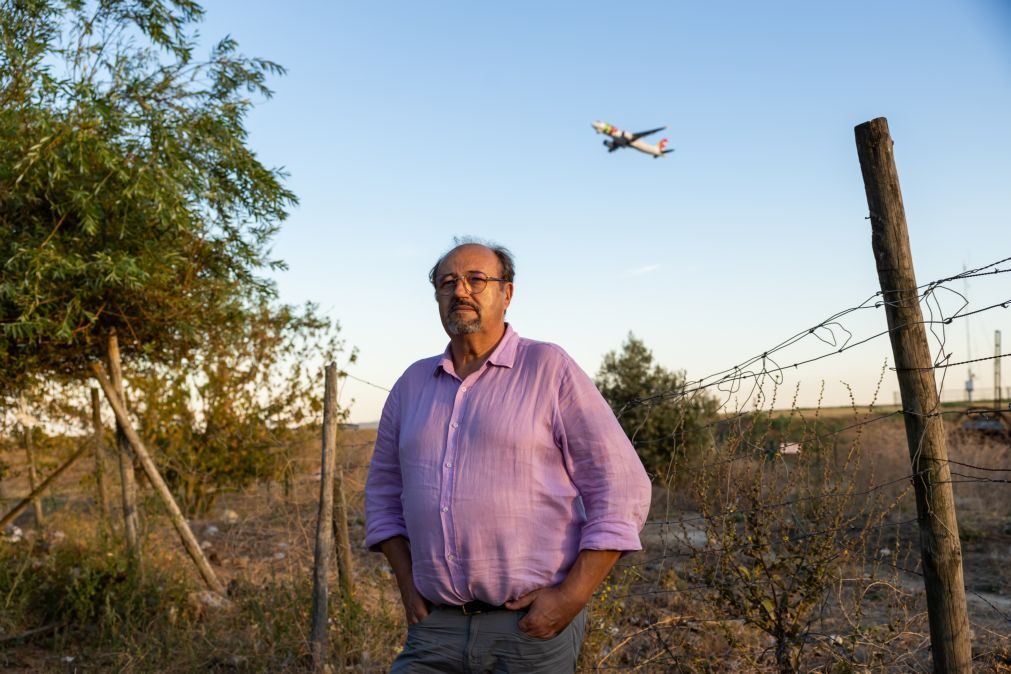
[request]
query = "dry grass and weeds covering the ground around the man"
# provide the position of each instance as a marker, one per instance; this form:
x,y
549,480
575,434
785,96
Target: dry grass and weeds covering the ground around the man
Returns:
x,y
648,618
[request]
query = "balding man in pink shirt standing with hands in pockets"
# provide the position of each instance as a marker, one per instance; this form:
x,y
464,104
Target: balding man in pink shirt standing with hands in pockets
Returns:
x,y
502,490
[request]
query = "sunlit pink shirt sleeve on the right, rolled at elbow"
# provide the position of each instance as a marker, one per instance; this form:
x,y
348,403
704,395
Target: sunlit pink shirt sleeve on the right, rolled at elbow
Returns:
x,y
603,464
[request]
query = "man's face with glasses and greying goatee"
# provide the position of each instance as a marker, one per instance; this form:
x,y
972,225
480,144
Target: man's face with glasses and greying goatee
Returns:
x,y
464,313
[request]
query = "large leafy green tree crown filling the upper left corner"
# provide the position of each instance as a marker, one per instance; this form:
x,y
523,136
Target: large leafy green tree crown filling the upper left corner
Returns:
x,y
129,199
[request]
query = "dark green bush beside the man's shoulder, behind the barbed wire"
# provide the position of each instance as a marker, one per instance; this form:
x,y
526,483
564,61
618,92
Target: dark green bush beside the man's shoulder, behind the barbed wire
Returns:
x,y
662,421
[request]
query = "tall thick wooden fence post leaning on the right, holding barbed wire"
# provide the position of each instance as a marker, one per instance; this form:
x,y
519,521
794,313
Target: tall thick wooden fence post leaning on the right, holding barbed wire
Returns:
x,y
940,546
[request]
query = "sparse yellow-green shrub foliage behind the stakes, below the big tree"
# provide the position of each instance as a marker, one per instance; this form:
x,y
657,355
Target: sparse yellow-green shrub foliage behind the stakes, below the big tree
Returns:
x,y
230,414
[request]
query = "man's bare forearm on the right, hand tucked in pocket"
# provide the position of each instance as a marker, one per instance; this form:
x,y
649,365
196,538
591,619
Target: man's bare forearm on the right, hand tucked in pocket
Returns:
x,y
553,609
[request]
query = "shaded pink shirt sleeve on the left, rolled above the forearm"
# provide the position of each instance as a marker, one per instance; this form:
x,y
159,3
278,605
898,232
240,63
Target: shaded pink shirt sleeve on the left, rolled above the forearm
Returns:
x,y
384,509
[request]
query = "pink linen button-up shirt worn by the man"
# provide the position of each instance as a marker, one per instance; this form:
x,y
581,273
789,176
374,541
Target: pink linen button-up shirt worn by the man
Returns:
x,y
501,479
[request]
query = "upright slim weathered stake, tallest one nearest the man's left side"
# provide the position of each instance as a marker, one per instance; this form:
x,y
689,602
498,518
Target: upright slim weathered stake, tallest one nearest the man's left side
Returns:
x,y
325,526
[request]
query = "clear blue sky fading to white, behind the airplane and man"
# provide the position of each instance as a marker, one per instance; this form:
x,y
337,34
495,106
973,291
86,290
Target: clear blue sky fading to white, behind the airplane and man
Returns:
x,y
404,125
